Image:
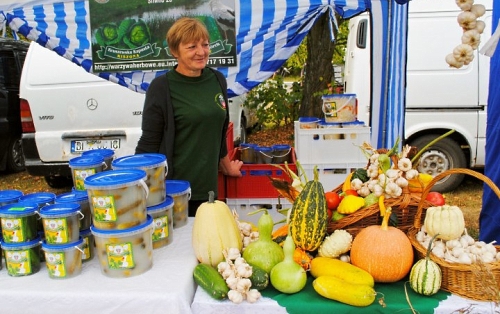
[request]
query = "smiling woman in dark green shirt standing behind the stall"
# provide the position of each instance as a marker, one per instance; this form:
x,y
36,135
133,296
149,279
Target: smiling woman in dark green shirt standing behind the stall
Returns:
x,y
186,116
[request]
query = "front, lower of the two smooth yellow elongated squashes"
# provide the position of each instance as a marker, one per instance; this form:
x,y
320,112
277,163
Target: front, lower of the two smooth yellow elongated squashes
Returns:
x,y
342,291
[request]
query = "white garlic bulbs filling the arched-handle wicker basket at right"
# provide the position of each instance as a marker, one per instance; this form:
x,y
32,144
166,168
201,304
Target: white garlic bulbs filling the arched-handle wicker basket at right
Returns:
x,y
463,250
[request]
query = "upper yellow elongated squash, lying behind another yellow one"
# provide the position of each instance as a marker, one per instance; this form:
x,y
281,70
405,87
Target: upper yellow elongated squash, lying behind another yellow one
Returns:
x,y
325,266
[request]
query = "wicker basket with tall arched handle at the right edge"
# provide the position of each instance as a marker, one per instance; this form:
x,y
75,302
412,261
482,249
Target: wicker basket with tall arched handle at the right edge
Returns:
x,y
467,281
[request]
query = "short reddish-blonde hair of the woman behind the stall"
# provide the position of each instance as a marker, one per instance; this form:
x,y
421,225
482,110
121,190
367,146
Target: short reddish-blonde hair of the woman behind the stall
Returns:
x,y
184,30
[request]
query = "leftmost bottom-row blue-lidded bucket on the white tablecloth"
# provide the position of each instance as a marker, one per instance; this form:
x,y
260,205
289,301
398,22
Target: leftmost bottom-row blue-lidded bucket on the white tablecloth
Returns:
x,y
22,259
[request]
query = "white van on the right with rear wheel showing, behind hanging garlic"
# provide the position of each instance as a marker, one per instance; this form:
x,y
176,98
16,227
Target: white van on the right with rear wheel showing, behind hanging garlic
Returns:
x,y
438,98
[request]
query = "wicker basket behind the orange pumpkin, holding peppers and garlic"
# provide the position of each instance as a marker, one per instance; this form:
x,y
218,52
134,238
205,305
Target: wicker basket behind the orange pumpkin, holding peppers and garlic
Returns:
x,y
404,207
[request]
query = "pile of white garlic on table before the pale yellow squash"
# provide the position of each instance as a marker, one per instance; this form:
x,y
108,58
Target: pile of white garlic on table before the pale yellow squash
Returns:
x,y
236,272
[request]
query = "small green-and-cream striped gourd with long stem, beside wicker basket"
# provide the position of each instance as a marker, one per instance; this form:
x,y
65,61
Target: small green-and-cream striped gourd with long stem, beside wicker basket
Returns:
x,y
425,275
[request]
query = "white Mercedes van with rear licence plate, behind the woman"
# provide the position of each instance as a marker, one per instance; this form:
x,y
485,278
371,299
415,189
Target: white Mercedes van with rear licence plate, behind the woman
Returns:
x,y
66,111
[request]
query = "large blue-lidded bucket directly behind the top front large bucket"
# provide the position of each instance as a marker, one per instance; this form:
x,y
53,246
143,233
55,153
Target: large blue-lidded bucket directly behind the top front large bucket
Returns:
x,y
156,168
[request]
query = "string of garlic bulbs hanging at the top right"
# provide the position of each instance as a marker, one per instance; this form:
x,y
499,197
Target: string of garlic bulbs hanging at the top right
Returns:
x,y
463,54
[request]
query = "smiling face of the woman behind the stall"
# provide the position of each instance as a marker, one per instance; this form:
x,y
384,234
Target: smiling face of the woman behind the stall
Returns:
x,y
192,57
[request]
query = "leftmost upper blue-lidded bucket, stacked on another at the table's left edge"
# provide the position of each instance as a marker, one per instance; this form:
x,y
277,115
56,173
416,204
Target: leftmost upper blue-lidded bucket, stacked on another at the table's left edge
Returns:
x,y
19,222
